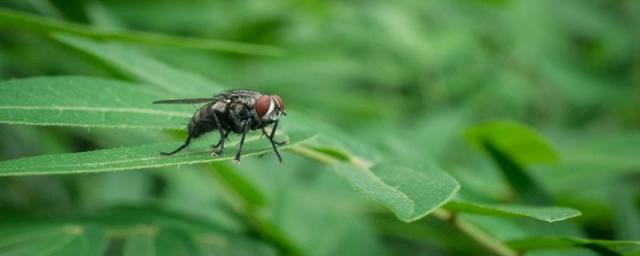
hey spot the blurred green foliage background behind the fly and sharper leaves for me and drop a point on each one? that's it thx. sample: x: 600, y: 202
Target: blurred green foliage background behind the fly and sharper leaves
x: 404, y: 77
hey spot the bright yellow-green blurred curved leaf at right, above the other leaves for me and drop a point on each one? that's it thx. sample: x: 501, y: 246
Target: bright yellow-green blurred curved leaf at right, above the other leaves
x: 520, y: 142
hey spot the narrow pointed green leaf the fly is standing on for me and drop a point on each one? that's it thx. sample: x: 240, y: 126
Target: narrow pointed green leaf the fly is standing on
x: 139, y: 157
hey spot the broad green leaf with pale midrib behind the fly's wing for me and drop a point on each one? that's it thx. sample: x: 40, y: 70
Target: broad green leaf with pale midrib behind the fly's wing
x: 87, y: 102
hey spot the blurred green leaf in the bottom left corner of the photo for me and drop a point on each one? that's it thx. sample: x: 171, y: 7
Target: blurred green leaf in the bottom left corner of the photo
x: 68, y: 239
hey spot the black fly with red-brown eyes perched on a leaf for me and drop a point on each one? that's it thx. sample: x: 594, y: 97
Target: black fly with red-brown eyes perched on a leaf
x: 237, y: 111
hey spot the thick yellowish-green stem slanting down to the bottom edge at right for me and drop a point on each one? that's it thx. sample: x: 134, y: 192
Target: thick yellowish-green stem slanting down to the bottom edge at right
x: 484, y: 239
